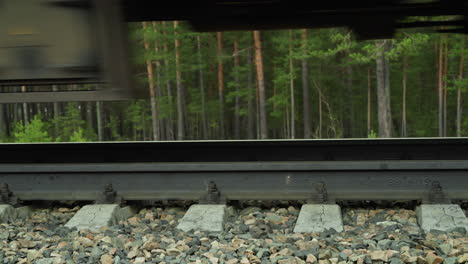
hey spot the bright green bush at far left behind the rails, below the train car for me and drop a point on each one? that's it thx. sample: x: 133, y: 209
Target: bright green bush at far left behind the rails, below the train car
x: 35, y: 131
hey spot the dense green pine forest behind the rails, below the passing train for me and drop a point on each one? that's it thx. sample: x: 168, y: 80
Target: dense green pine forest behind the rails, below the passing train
x: 275, y: 84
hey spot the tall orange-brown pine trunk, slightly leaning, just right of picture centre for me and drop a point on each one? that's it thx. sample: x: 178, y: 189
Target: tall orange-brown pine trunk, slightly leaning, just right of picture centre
x: 261, y: 85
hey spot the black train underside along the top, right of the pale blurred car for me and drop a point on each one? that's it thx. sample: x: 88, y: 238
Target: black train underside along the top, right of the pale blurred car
x: 368, y: 19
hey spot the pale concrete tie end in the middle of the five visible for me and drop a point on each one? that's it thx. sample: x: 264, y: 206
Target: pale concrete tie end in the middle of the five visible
x: 203, y: 218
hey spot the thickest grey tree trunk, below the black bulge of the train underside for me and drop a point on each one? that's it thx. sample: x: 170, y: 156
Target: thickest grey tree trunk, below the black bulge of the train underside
x: 383, y: 90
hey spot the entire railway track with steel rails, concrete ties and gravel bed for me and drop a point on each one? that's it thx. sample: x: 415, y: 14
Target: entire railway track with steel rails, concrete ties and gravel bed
x: 323, y: 171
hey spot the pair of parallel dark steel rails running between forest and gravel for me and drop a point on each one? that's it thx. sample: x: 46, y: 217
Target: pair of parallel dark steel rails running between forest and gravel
x: 320, y: 170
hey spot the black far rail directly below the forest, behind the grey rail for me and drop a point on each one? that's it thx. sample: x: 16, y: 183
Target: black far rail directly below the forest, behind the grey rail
x: 237, y: 151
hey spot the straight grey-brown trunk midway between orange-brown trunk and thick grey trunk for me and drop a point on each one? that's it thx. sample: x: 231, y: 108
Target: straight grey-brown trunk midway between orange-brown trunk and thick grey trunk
x: 305, y: 88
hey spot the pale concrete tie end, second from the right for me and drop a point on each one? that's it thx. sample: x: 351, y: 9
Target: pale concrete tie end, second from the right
x: 318, y: 218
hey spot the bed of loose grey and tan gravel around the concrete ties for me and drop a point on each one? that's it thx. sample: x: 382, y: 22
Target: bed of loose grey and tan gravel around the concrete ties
x: 253, y: 234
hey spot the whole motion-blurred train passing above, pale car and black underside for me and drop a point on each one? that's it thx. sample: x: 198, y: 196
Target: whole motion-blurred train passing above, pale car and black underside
x: 46, y: 42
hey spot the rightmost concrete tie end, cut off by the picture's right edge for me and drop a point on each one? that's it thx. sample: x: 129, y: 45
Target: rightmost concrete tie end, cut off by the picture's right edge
x: 441, y: 217
